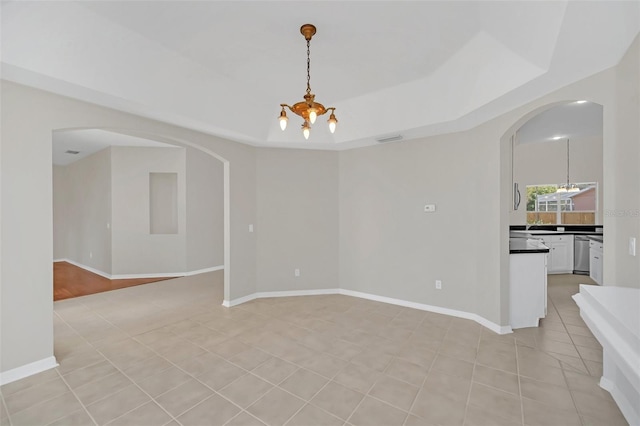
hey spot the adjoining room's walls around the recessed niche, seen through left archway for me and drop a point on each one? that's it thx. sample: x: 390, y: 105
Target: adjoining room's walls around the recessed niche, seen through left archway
x: 82, y: 209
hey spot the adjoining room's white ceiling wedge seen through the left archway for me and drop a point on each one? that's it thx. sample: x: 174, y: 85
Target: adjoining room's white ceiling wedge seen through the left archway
x: 86, y: 142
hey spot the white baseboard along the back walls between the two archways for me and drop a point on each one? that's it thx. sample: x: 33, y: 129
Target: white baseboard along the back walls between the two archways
x: 423, y: 307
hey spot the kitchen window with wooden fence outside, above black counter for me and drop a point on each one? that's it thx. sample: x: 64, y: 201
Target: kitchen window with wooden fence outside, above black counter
x: 547, y: 205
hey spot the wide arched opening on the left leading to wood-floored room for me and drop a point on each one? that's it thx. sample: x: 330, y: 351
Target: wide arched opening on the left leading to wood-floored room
x: 106, y: 229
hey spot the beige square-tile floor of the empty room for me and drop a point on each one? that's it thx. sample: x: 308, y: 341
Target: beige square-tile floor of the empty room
x: 168, y: 354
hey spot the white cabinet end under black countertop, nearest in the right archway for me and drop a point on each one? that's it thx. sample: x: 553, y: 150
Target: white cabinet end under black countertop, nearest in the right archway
x: 527, y: 289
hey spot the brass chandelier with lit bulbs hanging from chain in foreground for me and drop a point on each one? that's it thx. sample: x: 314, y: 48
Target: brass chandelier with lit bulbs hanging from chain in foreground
x: 308, y: 109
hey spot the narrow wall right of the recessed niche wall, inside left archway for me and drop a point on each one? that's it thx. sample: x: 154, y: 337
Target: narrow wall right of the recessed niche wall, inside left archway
x: 205, y: 211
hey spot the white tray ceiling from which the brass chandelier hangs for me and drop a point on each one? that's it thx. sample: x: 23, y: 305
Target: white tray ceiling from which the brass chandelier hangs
x: 414, y: 68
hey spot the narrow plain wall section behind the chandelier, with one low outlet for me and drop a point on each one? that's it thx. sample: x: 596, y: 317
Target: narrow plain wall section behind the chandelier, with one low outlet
x: 297, y: 219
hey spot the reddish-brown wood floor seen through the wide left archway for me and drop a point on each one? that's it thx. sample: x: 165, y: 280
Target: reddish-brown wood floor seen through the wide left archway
x: 71, y: 281
